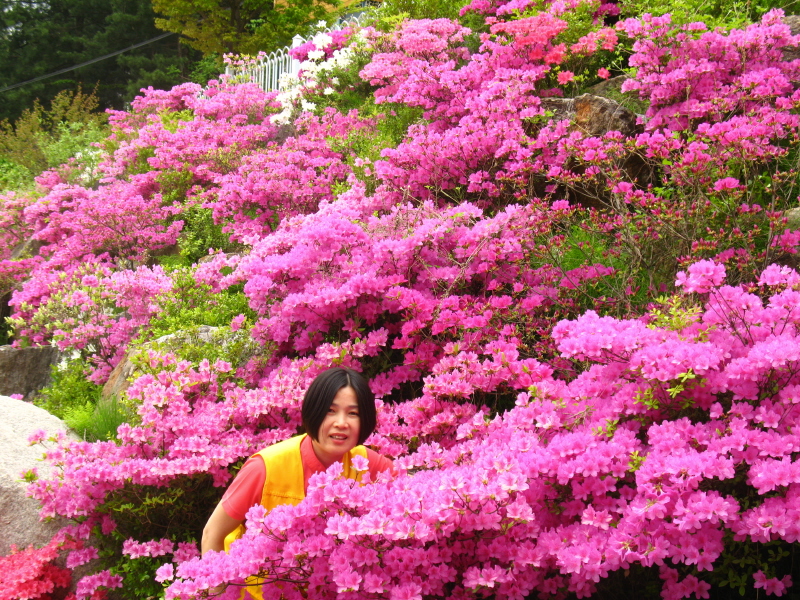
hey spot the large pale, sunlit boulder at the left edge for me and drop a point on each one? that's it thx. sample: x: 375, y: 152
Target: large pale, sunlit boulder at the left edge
x: 19, y: 515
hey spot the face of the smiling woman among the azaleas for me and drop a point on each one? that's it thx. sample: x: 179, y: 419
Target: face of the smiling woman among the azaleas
x: 340, y: 428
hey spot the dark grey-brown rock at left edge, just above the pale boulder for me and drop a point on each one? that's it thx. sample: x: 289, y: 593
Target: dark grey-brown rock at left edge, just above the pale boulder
x: 25, y: 370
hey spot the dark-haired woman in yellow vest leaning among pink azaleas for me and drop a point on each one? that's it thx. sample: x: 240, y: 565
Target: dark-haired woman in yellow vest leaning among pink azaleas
x: 338, y: 415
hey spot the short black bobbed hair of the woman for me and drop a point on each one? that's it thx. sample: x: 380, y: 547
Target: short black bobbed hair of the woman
x: 320, y: 394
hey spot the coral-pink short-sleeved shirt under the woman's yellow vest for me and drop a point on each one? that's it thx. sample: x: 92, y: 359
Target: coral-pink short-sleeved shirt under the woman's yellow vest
x: 247, y: 487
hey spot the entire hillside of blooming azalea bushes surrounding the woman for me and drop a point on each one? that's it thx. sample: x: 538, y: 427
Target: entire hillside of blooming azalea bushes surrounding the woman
x: 582, y: 337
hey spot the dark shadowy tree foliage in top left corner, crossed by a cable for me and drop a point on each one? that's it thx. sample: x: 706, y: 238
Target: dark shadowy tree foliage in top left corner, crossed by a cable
x: 42, y: 37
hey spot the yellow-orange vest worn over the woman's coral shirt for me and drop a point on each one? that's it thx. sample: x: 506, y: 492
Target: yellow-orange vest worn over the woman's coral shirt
x: 284, y: 484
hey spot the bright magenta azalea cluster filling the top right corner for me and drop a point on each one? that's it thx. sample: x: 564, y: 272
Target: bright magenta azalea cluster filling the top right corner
x: 690, y: 79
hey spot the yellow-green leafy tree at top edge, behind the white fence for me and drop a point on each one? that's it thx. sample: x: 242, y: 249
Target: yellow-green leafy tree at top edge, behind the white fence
x: 241, y: 26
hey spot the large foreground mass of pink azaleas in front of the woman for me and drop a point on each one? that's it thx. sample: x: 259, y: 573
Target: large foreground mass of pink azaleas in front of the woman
x: 577, y: 480
